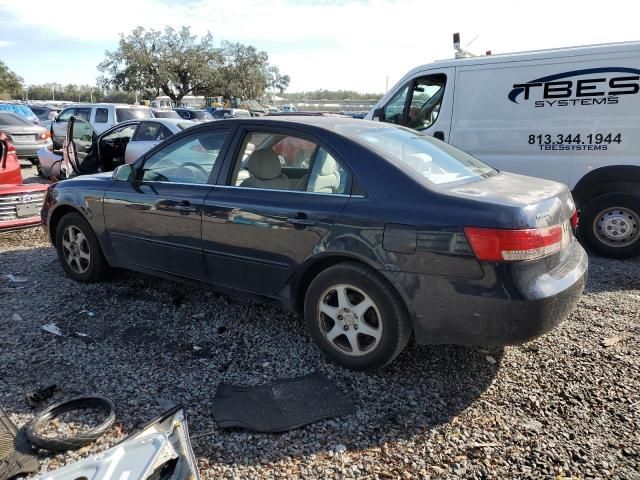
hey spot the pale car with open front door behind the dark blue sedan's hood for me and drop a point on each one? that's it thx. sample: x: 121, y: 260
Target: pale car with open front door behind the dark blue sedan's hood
x: 85, y: 151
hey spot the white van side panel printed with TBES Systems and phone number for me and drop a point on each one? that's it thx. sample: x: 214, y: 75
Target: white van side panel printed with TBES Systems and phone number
x: 556, y: 118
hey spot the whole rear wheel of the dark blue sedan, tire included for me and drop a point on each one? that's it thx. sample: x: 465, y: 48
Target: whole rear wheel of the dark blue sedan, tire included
x: 355, y: 317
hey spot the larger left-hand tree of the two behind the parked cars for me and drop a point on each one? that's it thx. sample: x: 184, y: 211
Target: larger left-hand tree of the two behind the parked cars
x: 150, y: 61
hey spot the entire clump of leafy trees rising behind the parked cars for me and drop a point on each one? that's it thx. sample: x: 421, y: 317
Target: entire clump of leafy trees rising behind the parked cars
x: 177, y: 63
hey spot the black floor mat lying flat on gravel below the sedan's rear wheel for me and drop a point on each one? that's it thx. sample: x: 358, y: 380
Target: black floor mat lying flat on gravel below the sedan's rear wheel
x: 281, y: 405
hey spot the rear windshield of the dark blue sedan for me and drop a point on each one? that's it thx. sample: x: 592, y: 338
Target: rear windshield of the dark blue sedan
x: 436, y: 161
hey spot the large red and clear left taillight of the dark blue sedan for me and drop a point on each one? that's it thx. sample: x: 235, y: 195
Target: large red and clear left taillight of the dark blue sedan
x: 496, y: 245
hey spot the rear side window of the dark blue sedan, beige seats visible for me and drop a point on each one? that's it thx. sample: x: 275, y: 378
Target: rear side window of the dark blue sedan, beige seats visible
x: 276, y: 161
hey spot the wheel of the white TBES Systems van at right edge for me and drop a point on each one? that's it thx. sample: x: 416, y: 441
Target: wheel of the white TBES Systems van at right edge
x: 610, y: 225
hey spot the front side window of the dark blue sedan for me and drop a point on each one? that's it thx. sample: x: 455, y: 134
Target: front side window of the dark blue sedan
x: 188, y: 160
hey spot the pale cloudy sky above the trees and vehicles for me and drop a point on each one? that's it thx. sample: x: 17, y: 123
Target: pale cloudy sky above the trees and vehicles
x: 361, y: 45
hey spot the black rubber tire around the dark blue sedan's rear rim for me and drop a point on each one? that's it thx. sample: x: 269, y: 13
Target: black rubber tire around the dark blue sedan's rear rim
x: 394, y: 324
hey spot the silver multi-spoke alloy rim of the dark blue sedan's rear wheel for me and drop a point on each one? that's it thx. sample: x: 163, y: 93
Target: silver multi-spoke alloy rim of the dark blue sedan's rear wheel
x: 350, y: 320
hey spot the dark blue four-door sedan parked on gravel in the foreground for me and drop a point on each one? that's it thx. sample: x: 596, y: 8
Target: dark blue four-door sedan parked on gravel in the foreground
x: 372, y: 232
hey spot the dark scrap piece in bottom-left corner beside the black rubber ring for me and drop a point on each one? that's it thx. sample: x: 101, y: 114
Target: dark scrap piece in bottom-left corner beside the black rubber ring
x: 15, y: 455
